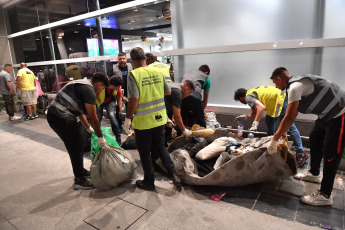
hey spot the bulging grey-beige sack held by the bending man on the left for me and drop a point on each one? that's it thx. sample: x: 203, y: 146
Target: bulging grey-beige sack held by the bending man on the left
x: 111, y: 167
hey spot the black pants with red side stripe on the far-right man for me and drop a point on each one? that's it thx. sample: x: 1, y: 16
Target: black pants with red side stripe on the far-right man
x: 327, y: 141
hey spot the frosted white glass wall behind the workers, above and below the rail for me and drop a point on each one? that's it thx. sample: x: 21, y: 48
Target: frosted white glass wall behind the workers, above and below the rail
x: 236, y: 22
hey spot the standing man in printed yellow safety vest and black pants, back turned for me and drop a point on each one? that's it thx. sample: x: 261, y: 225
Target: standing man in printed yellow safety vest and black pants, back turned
x: 146, y: 88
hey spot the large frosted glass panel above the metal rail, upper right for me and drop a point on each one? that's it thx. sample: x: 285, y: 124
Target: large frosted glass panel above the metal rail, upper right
x: 241, y: 22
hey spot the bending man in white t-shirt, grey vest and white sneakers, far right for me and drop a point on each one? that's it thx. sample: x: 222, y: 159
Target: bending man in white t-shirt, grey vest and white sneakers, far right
x: 315, y: 95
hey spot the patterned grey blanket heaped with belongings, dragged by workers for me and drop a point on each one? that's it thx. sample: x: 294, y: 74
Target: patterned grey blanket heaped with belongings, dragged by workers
x: 234, y: 168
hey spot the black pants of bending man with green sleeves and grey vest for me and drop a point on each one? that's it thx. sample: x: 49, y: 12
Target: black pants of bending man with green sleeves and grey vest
x: 192, y: 112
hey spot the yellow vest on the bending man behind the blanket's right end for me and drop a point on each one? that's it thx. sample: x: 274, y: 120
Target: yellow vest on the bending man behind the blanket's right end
x: 271, y: 97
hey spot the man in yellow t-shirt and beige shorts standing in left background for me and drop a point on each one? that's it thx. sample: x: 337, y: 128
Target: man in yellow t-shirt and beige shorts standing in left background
x: 26, y: 83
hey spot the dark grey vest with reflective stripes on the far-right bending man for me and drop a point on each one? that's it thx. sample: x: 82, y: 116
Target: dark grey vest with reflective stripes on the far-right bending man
x: 327, y: 100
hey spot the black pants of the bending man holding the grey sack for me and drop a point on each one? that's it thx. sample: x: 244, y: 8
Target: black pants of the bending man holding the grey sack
x: 70, y: 134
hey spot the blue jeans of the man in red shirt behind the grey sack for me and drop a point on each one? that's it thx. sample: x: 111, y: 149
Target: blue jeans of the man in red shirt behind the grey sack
x: 110, y: 108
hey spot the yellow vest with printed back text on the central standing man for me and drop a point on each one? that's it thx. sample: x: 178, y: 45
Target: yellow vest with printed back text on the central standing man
x: 150, y: 112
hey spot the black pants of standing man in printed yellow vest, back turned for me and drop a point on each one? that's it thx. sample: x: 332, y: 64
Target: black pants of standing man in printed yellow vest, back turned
x: 152, y: 141
